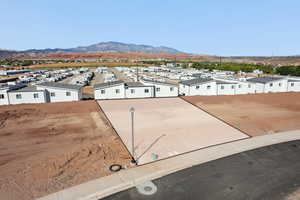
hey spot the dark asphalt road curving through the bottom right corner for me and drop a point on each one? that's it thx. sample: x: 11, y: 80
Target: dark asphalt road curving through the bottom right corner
x: 268, y: 173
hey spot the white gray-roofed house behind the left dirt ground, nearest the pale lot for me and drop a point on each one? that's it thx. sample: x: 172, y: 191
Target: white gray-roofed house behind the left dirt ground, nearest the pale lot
x: 59, y: 92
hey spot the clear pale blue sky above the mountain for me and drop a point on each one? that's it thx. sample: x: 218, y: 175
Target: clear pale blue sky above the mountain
x: 223, y: 27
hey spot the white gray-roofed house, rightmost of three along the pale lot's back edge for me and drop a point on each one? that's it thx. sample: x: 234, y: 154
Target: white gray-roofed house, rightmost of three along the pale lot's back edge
x: 162, y: 89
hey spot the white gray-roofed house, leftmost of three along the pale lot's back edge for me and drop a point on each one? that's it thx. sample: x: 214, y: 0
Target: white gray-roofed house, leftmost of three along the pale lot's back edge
x: 110, y: 90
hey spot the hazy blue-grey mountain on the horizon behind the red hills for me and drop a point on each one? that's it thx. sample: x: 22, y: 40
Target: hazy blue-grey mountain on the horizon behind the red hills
x: 110, y: 47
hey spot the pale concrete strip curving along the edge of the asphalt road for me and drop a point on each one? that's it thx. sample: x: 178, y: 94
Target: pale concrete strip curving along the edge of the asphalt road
x: 105, y: 186
